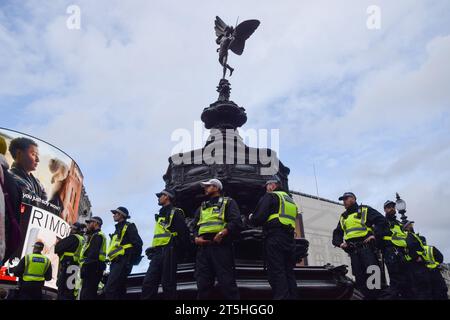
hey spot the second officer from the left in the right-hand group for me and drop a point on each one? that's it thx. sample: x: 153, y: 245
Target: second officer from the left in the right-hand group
x: 395, y: 256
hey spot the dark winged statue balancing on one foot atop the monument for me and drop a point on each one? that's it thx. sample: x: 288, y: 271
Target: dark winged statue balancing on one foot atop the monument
x: 229, y: 38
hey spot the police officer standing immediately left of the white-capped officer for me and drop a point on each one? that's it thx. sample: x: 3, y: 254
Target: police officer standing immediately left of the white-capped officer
x: 170, y: 237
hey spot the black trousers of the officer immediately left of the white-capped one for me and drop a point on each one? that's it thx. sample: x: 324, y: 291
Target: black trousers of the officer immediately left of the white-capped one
x: 162, y: 270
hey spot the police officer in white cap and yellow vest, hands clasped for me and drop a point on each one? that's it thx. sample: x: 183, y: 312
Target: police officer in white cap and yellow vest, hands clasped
x: 216, y: 222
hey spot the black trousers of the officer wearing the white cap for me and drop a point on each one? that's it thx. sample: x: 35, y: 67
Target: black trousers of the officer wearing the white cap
x: 216, y: 261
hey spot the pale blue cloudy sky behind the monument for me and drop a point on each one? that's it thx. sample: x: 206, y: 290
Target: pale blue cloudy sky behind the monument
x: 370, y: 108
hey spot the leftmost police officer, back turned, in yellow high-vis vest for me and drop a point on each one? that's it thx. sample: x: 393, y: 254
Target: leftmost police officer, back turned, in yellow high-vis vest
x: 33, y: 270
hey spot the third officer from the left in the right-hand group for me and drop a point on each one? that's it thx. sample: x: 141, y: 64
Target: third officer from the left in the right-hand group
x: 419, y: 276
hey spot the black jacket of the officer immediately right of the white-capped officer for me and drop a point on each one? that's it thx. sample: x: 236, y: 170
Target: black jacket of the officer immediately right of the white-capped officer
x: 267, y: 205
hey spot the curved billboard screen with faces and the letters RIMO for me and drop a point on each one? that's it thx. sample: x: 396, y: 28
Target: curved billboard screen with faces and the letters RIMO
x: 51, y: 186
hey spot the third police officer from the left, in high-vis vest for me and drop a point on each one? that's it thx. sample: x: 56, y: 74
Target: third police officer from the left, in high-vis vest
x: 92, y: 259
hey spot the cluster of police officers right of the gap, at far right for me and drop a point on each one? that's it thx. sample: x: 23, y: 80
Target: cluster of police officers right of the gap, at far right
x: 413, y: 265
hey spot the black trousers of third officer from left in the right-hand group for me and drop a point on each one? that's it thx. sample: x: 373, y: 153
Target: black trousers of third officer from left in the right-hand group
x: 419, y: 277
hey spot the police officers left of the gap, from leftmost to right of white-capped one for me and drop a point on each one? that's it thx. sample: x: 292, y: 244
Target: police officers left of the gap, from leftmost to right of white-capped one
x: 217, y: 222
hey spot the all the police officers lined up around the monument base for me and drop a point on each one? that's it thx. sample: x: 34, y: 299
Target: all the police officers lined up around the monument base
x: 362, y: 232
